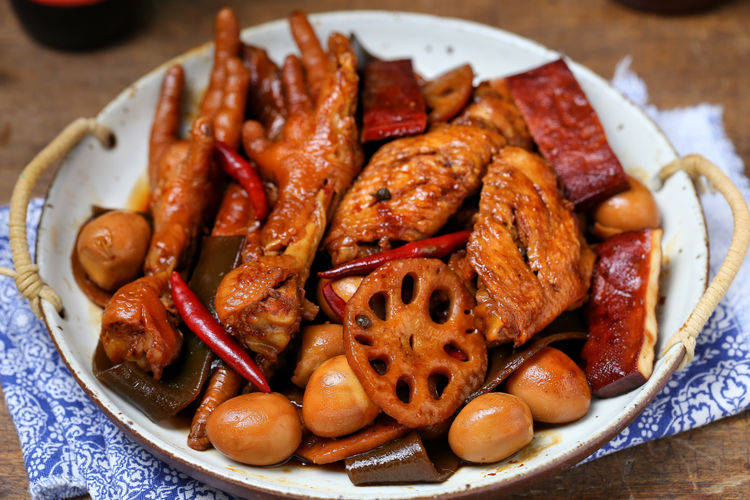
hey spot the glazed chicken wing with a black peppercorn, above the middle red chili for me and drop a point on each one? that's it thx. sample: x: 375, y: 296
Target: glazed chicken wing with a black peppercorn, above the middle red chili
x: 409, y: 189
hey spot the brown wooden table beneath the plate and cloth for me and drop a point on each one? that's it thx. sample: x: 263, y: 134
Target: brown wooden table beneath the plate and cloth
x: 684, y: 60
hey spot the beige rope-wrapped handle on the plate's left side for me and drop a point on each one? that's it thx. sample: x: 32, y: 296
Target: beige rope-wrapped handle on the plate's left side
x: 26, y: 273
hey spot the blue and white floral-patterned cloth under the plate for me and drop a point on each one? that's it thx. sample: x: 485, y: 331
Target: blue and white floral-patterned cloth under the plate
x: 71, y: 448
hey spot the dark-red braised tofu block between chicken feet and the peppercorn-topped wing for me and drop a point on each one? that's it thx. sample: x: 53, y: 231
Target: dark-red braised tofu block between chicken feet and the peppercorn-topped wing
x: 392, y: 102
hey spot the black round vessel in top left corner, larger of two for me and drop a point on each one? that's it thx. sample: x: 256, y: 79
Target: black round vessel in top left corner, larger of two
x: 77, y: 24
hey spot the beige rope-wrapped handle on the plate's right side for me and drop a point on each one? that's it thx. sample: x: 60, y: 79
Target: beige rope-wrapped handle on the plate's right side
x: 698, y: 166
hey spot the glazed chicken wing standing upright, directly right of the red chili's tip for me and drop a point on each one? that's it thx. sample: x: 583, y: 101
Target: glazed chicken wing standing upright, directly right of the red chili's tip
x: 527, y: 249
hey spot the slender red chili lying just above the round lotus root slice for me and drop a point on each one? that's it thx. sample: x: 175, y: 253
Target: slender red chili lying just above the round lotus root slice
x: 431, y: 247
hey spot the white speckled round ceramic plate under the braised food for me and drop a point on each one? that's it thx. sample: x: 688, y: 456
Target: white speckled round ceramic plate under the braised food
x: 93, y: 176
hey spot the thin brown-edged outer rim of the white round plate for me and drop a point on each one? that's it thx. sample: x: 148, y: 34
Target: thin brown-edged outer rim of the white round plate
x: 556, y: 464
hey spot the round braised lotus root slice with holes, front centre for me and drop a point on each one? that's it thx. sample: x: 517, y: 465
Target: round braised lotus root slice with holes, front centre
x: 410, y: 337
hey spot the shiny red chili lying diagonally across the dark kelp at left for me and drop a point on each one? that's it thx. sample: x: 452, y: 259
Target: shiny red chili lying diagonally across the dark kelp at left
x: 207, y: 328
